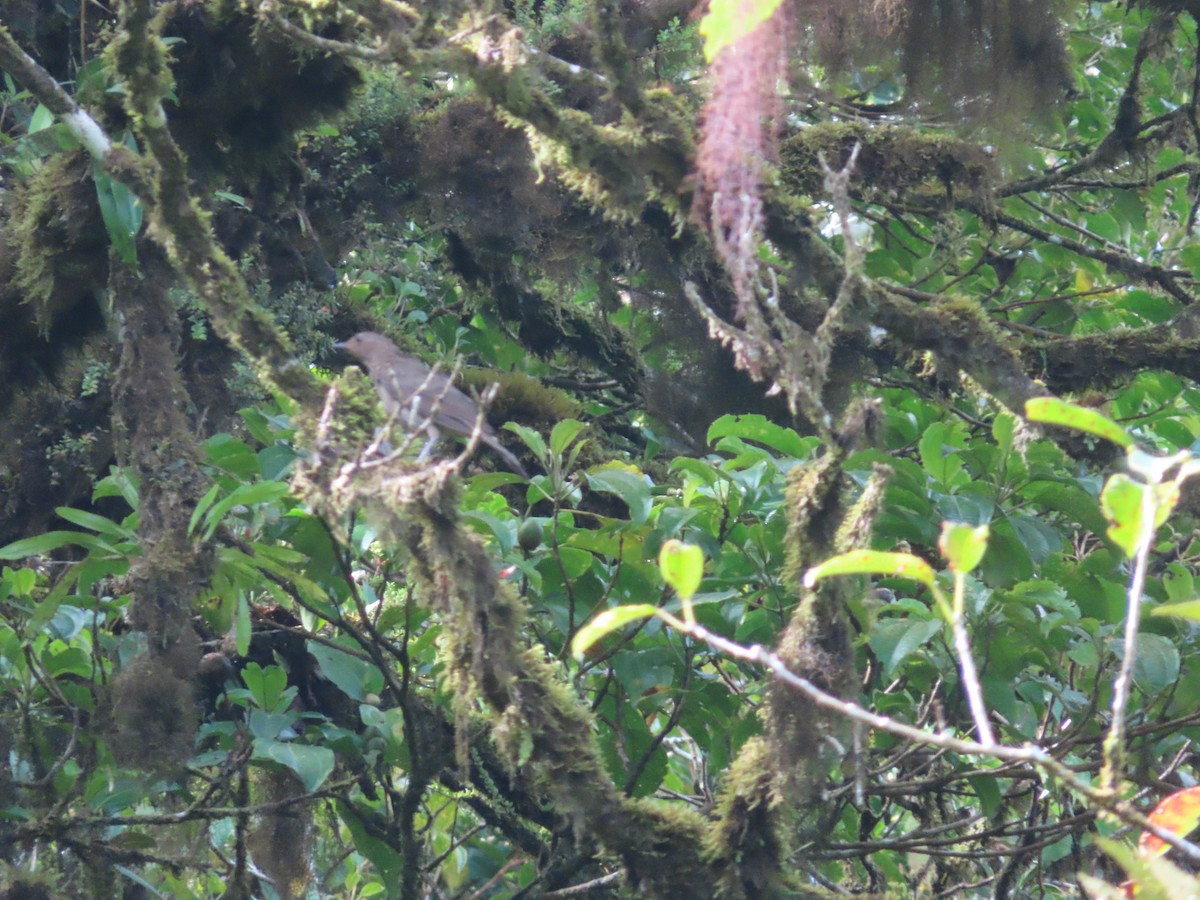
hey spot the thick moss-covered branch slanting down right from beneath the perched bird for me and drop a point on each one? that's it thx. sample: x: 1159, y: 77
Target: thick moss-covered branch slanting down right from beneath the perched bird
x: 547, y: 735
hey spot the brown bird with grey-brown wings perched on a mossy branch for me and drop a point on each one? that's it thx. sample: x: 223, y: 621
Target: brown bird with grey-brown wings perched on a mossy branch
x: 419, y: 399
